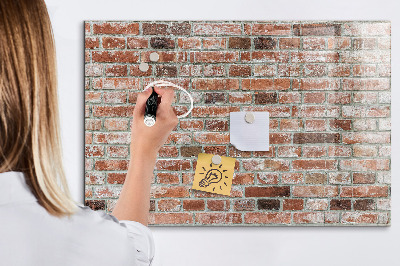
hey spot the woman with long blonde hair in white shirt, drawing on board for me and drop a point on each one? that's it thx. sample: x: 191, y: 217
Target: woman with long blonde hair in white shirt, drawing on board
x: 39, y: 222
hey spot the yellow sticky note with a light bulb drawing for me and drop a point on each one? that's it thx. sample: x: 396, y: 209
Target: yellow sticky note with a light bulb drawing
x: 214, y: 178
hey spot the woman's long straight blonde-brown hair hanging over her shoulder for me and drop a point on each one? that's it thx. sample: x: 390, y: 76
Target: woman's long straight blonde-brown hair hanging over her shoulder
x: 29, y: 118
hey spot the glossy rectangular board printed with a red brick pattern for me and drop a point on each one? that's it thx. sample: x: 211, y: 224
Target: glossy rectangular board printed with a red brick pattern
x: 326, y: 86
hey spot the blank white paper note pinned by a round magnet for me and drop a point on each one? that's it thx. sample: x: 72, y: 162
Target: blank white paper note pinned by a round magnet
x: 249, y: 136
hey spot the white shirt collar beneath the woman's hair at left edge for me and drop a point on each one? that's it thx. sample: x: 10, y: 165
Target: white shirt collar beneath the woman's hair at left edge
x: 13, y: 188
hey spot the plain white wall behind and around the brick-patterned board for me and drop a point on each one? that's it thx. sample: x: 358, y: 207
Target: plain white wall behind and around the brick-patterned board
x: 230, y: 246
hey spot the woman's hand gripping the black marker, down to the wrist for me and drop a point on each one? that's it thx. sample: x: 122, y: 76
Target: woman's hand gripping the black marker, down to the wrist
x: 146, y: 139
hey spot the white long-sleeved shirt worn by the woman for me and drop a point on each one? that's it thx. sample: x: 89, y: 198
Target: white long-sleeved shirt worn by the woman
x: 29, y: 235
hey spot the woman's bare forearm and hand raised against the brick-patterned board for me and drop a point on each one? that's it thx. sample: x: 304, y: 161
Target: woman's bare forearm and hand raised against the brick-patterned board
x: 134, y: 201
